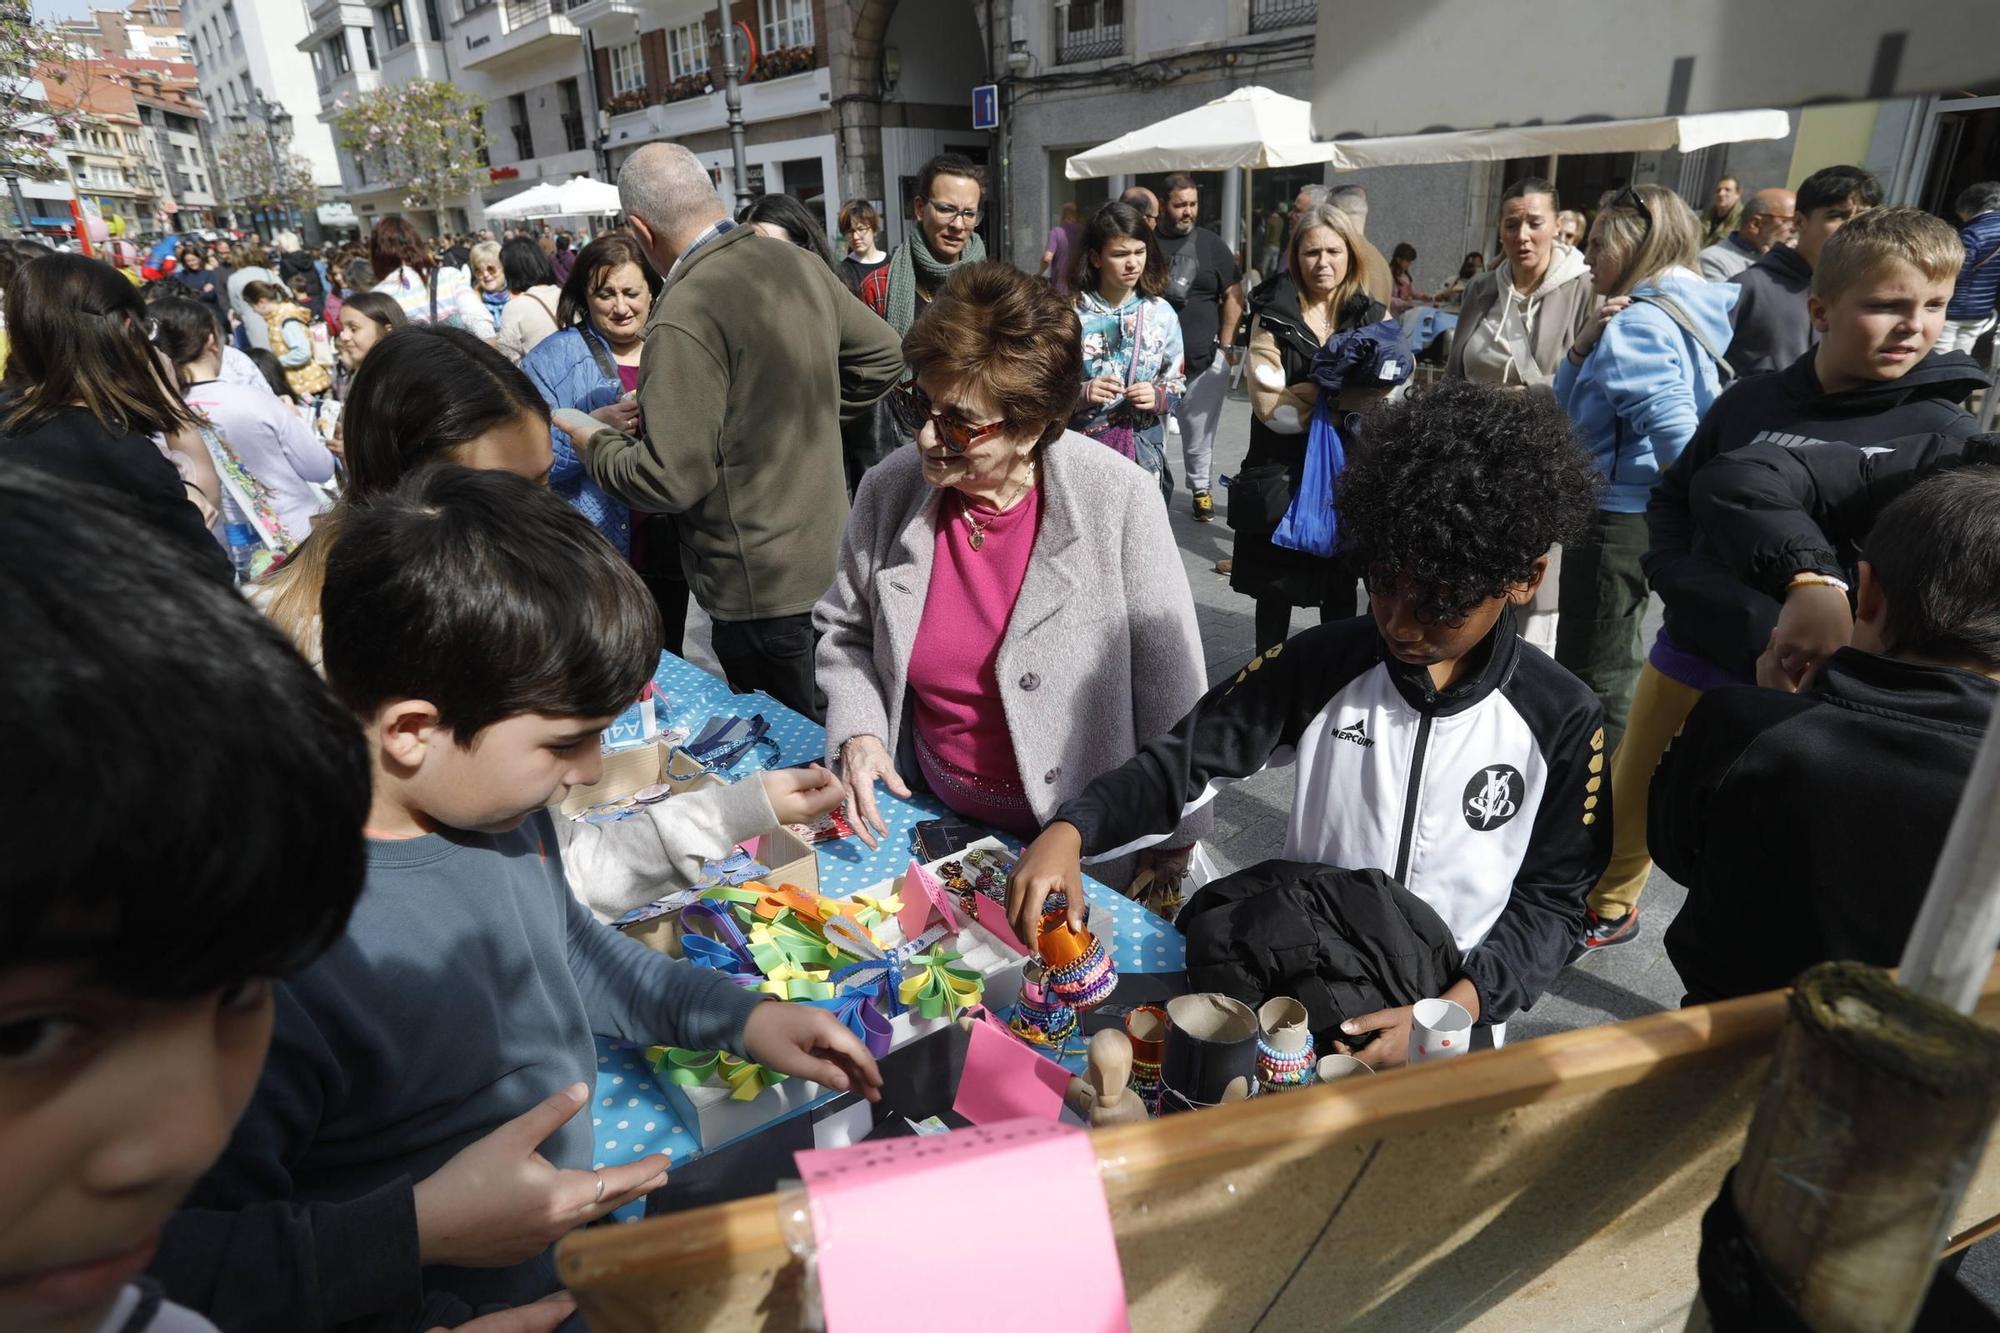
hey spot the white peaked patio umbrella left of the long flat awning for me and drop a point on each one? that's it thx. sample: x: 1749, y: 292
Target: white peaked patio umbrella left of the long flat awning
x: 1251, y: 127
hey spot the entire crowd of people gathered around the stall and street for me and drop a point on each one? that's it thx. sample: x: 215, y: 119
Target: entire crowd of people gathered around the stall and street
x: 325, y: 575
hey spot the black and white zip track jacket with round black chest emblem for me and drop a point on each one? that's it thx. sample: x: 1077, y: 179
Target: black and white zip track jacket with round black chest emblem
x: 1489, y: 800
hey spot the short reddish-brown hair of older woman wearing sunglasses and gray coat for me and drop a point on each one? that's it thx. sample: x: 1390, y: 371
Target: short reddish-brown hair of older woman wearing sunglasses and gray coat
x: 1011, y: 339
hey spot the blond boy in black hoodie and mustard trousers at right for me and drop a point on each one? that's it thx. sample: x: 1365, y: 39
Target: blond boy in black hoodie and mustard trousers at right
x: 1877, y: 303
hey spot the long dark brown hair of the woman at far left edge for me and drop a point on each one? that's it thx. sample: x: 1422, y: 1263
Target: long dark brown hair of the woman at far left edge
x: 81, y: 335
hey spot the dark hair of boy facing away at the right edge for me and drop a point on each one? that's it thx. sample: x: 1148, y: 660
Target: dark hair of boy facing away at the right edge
x: 1937, y: 555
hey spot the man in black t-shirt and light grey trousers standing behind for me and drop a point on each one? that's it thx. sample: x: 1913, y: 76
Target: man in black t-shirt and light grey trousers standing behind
x: 1207, y: 289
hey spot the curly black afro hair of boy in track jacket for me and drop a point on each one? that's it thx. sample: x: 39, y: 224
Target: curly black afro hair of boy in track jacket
x: 1463, y: 487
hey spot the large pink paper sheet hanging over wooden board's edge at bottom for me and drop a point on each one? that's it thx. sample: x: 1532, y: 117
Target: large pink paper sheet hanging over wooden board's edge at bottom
x: 1015, y: 1178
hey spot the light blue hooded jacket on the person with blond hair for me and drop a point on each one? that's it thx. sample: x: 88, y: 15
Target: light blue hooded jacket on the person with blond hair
x: 1645, y: 387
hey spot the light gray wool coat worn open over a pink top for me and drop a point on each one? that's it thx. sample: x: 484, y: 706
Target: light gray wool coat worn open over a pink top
x: 1101, y: 653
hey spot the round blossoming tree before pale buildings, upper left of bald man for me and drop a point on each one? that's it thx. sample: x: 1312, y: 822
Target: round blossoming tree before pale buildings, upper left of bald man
x: 423, y: 135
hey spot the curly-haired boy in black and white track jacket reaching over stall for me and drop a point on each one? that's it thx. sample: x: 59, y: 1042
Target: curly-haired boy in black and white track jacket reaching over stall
x: 1431, y: 742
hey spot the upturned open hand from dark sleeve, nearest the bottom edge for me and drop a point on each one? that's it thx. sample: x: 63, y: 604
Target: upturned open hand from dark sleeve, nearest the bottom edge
x: 499, y: 1202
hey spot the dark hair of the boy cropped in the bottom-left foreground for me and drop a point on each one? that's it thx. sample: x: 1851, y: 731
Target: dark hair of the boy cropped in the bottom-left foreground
x: 191, y: 794
